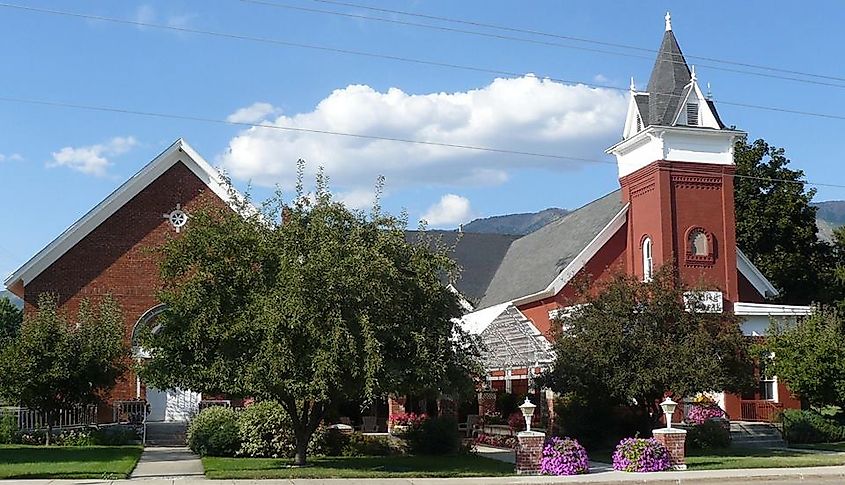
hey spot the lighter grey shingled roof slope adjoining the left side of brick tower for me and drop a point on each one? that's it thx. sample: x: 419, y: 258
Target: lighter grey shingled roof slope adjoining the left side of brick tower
x: 534, y: 261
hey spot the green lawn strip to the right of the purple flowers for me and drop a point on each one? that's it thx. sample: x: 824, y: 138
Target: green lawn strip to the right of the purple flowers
x: 747, y: 458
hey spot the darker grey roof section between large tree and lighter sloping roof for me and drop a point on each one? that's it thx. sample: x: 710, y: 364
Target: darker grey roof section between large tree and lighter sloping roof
x: 479, y: 255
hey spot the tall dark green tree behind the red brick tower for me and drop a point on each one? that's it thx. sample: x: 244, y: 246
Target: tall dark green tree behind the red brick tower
x: 776, y: 225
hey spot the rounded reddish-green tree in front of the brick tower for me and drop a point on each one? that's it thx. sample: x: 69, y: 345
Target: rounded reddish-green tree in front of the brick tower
x: 630, y: 342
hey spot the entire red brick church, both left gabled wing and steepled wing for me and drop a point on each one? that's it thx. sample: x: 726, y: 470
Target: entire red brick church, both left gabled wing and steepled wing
x: 675, y: 205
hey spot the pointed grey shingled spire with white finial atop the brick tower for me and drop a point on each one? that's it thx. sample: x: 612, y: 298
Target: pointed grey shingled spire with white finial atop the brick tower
x: 668, y: 78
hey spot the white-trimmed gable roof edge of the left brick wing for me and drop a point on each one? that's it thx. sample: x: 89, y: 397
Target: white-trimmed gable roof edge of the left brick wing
x: 179, y: 151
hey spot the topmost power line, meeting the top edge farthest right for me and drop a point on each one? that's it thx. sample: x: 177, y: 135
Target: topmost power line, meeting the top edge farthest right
x: 570, y: 38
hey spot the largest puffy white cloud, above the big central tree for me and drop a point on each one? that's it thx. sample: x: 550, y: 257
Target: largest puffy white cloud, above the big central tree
x: 522, y: 114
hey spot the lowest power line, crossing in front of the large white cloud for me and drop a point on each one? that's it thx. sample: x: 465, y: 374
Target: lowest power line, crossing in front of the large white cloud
x: 477, y: 148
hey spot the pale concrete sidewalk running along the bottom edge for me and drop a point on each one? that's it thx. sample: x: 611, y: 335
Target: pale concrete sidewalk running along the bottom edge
x: 810, y: 475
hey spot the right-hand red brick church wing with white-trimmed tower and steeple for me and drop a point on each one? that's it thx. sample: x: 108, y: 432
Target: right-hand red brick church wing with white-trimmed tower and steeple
x: 675, y: 205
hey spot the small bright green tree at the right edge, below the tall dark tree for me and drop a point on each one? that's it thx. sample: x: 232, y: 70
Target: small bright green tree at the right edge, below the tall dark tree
x: 810, y: 356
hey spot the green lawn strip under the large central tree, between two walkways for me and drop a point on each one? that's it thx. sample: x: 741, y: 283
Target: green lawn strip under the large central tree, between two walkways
x: 358, y: 467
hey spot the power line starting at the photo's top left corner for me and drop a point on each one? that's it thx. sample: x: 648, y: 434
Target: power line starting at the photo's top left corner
x: 381, y: 56
